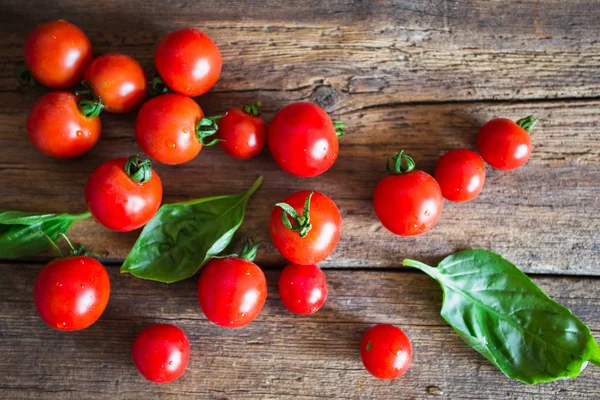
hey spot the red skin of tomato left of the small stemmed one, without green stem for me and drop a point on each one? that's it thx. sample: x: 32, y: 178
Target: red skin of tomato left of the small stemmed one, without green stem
x: 166, y: 128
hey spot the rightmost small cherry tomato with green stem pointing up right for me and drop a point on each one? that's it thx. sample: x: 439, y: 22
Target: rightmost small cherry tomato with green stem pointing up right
x: 505, y: 144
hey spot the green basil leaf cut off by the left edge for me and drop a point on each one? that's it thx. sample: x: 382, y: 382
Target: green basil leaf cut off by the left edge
x: 22, y: 234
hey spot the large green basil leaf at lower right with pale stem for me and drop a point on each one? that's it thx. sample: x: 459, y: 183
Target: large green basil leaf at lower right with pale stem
x: 502, y: 314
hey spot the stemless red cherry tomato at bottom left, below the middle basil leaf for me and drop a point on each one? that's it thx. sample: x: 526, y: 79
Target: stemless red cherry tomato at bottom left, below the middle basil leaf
x: 161, y: 353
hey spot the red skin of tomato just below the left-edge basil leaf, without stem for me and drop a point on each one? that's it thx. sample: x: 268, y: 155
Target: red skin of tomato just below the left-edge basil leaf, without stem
x: 71, y: 293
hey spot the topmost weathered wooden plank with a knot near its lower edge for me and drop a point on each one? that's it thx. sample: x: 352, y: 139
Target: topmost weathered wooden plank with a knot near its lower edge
x: 383, y: 50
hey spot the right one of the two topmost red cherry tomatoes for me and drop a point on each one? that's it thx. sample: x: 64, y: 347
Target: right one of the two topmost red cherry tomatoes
x: 188, y: 61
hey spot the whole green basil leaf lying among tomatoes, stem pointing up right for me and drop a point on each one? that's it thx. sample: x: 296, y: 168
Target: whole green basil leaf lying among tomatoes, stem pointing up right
x: 182, y: 237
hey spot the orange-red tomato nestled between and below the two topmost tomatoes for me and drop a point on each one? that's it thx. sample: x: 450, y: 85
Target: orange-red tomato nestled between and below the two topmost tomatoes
x: 119, y: 80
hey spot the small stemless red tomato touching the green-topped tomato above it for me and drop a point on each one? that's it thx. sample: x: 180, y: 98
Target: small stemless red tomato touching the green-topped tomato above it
x: 302, y: 288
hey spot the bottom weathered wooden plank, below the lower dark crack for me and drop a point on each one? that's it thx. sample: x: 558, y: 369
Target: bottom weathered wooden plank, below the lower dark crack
x: 279, y: 355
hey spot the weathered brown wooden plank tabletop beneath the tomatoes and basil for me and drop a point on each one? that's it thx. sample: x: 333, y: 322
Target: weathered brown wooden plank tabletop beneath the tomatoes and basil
x: 416, y: 75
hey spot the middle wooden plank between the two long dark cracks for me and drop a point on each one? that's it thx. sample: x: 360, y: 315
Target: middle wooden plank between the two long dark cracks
x: 542, y: 217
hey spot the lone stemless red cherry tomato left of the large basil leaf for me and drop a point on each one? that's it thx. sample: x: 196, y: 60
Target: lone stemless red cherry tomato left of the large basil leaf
x: 386, y: 351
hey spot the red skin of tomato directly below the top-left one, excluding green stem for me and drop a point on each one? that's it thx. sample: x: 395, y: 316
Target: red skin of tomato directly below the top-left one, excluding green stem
x: 57, y: 128
